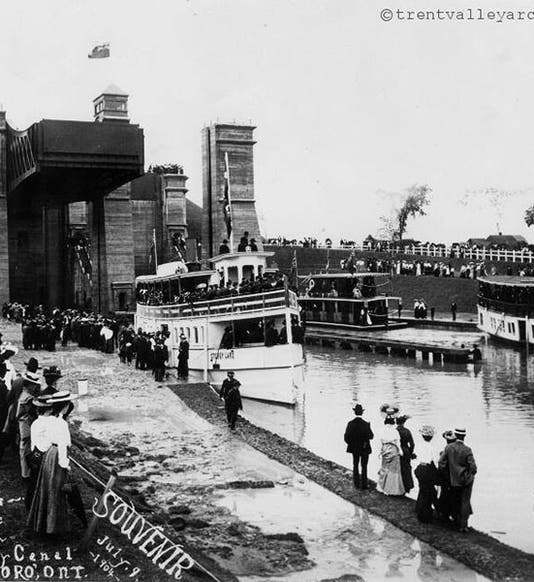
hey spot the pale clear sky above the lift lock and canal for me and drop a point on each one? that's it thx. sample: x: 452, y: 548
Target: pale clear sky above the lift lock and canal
x: 350, y: 109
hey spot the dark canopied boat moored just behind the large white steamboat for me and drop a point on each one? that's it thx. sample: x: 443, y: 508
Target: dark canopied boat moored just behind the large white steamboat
x: 354, y: 300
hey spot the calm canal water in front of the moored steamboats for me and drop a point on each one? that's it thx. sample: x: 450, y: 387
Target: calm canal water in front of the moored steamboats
x: 493, y: 400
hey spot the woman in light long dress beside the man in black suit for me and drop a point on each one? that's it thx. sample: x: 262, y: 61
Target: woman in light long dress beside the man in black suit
x: 389, y: 475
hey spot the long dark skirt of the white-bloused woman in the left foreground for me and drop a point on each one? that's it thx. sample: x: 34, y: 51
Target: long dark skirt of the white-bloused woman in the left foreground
x: 48, y: 512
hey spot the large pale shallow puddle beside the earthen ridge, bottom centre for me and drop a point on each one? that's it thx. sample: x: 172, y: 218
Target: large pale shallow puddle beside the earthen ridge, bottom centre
x: 341, y: 538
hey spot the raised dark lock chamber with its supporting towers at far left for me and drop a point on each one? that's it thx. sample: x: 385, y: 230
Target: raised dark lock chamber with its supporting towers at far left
x: 44, y: 171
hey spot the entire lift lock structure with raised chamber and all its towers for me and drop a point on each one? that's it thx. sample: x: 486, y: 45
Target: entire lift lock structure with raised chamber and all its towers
x: 80, y: 218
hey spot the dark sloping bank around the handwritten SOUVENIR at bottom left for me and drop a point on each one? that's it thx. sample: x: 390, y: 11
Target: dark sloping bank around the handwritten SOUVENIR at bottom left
x: 27, y: 556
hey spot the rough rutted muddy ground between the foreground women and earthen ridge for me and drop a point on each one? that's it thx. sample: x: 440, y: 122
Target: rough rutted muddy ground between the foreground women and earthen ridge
x: 174, y: 466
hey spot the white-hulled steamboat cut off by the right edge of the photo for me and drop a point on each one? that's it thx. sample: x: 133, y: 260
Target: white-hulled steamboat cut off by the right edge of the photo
x: 505, y: 306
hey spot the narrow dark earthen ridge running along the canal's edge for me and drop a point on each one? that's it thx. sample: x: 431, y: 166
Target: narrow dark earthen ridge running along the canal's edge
x: 477, y: 550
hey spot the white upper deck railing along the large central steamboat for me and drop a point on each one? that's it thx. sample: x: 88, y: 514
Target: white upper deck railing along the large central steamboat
x: 260, y: 302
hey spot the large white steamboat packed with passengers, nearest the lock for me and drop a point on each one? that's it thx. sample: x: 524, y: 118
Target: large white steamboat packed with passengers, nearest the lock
x: 252, y: 328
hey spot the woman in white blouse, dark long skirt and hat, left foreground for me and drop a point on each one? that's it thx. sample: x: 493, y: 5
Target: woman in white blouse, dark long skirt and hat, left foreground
x: 48, y: 512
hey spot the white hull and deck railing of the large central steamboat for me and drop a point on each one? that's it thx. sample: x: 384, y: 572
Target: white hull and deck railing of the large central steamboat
x: 273, y: 373
